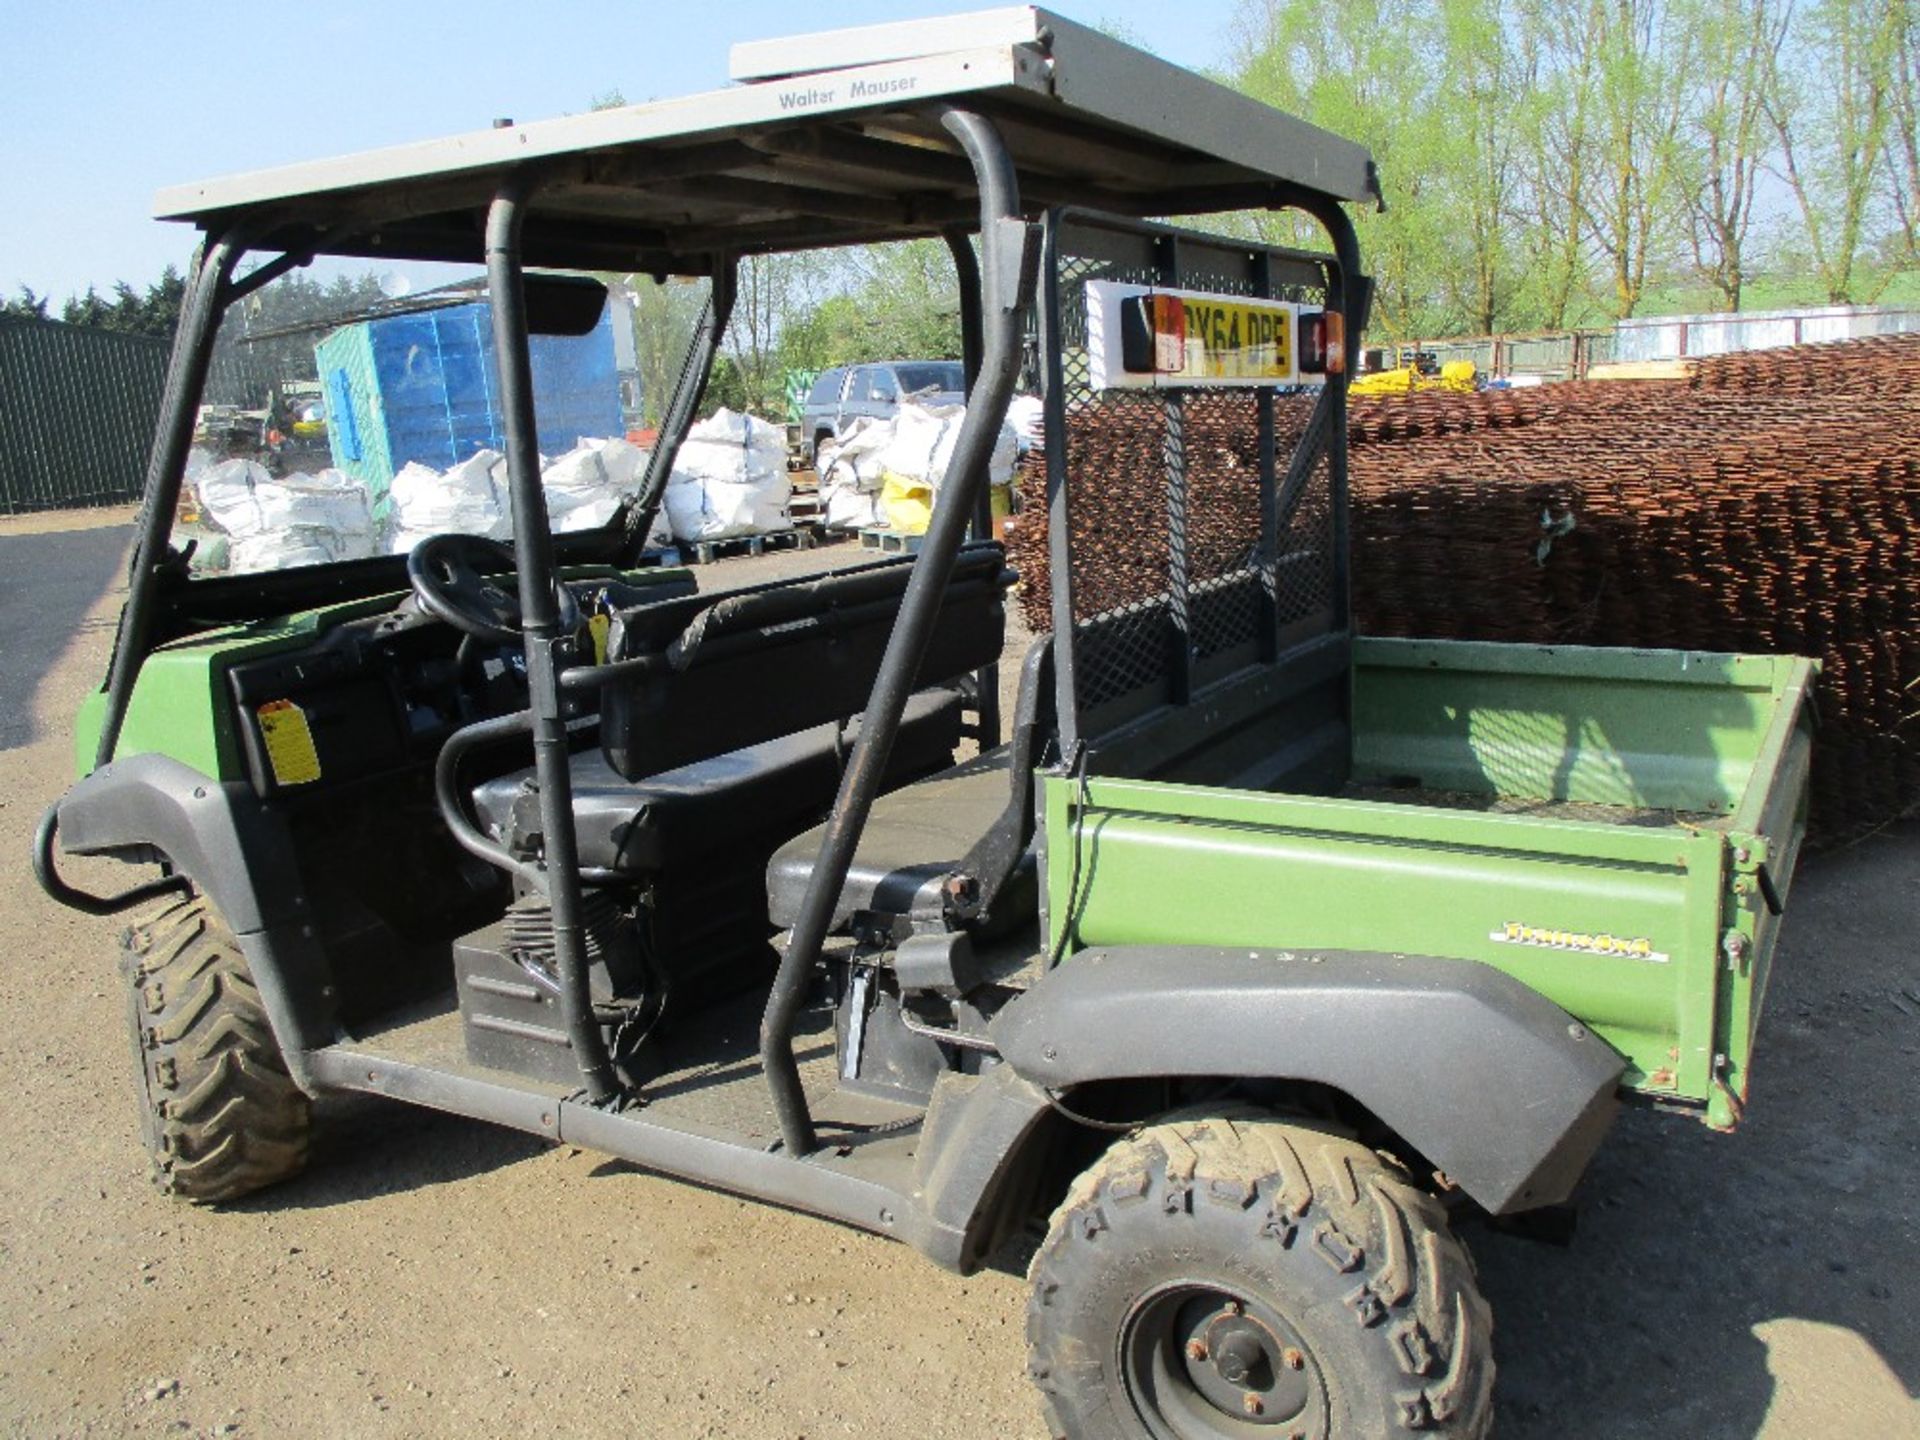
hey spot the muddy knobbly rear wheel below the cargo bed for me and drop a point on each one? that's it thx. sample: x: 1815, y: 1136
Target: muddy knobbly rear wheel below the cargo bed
x: 1245, y: 1280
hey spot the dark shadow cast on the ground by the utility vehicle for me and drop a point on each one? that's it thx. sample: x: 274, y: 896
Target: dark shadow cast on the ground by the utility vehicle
x: 1706, y: 1266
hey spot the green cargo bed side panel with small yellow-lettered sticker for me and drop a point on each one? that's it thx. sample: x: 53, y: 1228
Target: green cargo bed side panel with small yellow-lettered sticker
x: 1170, y: 865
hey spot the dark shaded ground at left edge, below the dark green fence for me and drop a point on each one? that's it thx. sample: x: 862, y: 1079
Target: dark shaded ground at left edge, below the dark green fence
x: 49, y: 585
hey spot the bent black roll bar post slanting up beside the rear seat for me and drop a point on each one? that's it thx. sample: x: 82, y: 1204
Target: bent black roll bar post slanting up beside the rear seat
x: 1011, y: 254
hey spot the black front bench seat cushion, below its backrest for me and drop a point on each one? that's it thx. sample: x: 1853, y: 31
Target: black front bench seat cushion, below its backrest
x: 644, y: 827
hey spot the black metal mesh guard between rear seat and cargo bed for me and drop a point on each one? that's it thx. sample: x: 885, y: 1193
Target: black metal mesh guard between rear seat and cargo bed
x: 1184, y: 540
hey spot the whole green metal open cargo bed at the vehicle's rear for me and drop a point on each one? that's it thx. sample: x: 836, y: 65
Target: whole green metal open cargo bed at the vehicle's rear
x: 1616, y: 828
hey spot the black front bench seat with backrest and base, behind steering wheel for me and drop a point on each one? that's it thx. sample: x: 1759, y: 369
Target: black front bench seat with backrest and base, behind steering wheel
x: 723, y: 736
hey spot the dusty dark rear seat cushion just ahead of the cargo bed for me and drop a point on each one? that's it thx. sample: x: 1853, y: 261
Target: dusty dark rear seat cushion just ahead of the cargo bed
x: 915, y: 838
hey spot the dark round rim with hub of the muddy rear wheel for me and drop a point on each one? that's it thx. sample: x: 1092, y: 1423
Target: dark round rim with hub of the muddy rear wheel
x: 1203, y: 1362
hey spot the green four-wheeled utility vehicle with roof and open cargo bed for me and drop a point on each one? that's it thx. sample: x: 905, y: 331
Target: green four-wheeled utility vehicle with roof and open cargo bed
x: 1232, y: 967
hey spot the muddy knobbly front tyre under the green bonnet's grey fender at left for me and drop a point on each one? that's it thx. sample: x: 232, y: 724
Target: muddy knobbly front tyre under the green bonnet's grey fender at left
x: 218, y: 1111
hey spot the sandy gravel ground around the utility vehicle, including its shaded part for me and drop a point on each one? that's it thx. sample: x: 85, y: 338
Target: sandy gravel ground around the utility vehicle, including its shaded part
x: 439, y: 1278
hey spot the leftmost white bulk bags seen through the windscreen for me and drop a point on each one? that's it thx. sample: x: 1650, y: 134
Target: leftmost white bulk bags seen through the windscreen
x: 279, y: 523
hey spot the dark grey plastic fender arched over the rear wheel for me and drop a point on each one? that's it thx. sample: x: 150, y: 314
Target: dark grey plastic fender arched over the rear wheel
x: 1495, y: 1084
